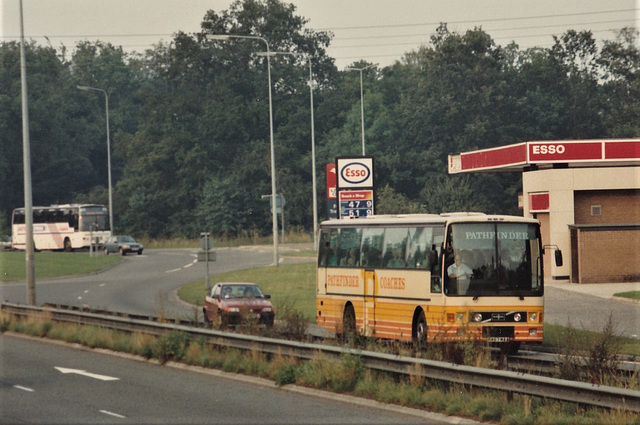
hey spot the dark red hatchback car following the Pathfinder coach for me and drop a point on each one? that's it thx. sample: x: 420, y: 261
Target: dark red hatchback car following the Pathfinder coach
x: 232, y: 303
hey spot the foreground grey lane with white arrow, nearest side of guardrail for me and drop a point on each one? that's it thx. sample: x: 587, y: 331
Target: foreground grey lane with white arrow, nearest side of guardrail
x: 32, y: 390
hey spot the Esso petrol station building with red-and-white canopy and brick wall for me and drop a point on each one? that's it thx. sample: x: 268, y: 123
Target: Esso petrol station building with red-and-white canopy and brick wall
x: 586, y: 194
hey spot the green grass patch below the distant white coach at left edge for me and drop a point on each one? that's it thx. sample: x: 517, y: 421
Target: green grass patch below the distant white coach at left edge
x: 53, y: 264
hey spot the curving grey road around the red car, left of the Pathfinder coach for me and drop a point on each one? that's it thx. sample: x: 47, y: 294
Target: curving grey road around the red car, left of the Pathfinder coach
x: 141, y: 284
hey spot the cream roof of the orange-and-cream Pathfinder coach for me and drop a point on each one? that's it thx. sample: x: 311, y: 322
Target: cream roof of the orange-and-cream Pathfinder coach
x: 408, y: 219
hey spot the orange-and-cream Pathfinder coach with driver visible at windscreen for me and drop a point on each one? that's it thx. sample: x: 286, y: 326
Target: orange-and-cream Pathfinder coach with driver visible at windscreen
x: 431, y: 278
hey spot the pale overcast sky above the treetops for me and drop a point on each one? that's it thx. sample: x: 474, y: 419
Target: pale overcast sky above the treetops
x: 377, y: 31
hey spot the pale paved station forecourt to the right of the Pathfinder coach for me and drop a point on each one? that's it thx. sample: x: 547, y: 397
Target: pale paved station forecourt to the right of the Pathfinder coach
x: 592, y: 306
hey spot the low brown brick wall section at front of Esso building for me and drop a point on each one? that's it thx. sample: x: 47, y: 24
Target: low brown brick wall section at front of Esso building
x: 609, y: 254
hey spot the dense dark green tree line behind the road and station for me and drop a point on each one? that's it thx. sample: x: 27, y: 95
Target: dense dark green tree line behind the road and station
x: 190, y: 126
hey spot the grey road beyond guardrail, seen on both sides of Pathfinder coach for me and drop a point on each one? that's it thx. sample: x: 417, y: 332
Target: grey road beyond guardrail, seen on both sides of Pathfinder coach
x: 146, y: 285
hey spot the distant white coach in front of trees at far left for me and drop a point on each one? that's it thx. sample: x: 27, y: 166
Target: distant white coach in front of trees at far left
x: 62, y: 227
